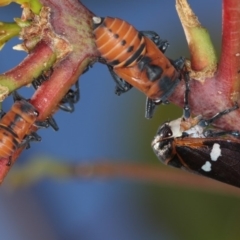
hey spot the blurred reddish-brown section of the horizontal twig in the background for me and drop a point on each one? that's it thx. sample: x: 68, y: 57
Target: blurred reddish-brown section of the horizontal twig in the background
x: 153, y: 174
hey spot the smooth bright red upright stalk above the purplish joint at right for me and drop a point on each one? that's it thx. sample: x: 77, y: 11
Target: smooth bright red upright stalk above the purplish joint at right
x: 229, y: 65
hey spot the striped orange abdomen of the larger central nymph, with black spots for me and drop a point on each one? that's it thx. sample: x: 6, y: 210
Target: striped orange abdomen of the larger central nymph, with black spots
x: 118, y: 42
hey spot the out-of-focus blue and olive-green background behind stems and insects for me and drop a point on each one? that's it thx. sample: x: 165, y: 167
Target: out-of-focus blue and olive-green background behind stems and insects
x: 113, y: 128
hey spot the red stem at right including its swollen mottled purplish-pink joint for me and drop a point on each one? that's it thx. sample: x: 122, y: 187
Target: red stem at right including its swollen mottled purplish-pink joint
x: 222, y: 90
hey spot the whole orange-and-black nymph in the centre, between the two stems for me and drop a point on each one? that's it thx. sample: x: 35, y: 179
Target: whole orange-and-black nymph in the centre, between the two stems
x: 136, y: 58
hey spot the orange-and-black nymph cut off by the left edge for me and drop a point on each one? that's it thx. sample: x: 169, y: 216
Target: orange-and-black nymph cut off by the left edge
x: 15, y: 128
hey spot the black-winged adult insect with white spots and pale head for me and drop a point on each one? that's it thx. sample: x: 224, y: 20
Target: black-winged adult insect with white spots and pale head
x: 189, y: 144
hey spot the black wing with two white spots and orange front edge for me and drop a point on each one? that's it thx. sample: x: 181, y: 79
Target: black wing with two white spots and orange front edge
x: 212, y: 157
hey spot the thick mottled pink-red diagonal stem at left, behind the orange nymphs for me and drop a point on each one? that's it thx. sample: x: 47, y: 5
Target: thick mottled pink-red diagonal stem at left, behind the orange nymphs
x: 73, y: 22
